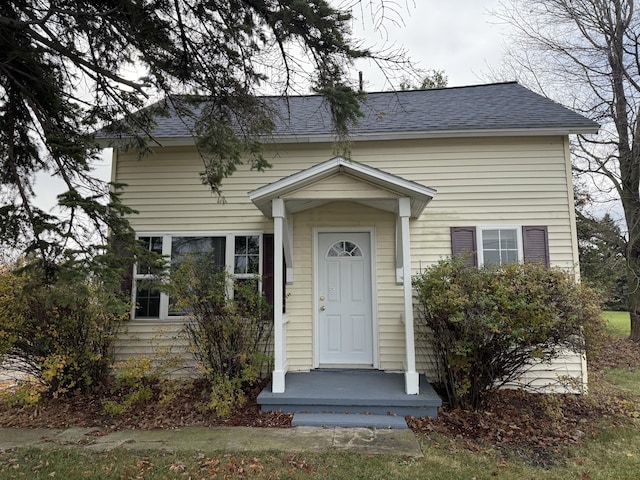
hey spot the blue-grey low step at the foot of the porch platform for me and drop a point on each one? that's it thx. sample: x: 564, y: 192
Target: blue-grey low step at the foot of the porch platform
x: 348, y: 420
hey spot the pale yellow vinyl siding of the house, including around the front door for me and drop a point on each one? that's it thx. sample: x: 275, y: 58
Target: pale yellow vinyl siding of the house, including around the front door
x: 479, y: 181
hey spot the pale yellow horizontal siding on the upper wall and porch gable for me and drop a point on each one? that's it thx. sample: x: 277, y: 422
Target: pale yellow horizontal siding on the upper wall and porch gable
x: 516, y: 180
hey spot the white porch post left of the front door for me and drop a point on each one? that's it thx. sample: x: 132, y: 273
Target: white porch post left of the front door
x: 279, y: 346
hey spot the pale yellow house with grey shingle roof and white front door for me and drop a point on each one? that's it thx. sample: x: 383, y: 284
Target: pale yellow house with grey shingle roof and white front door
x: 431, y: 172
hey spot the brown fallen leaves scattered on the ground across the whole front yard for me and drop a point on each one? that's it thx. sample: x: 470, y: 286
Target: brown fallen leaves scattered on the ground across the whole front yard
x: 536, y: 425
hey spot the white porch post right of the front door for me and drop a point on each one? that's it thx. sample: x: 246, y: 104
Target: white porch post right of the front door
x: 411, y: 378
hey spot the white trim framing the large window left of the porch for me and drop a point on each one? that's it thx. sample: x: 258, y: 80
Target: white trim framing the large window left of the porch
x: 166, y: 252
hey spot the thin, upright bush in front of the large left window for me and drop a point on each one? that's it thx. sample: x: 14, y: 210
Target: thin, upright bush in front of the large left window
x: 230, y: 337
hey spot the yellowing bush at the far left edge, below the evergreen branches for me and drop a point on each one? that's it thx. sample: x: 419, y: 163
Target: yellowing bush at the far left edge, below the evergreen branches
x: 59, y: 321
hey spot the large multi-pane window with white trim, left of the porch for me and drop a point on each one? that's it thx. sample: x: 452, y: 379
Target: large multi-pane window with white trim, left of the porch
x: 243, y: 261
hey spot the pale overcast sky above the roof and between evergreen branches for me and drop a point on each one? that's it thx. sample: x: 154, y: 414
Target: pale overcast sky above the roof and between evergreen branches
x: 457, y: 36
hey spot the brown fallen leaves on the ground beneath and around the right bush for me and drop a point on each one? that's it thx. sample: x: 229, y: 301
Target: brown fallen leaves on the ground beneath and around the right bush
x: 536, y: 423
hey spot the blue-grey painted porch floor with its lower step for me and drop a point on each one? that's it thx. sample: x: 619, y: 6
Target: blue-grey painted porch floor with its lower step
x: 370, y: 398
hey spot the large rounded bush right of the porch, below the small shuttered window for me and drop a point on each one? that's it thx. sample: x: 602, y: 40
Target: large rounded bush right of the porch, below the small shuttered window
x: 486, y: 324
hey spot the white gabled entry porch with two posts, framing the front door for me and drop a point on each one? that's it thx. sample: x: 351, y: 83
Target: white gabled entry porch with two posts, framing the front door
x: 333, y: 317
